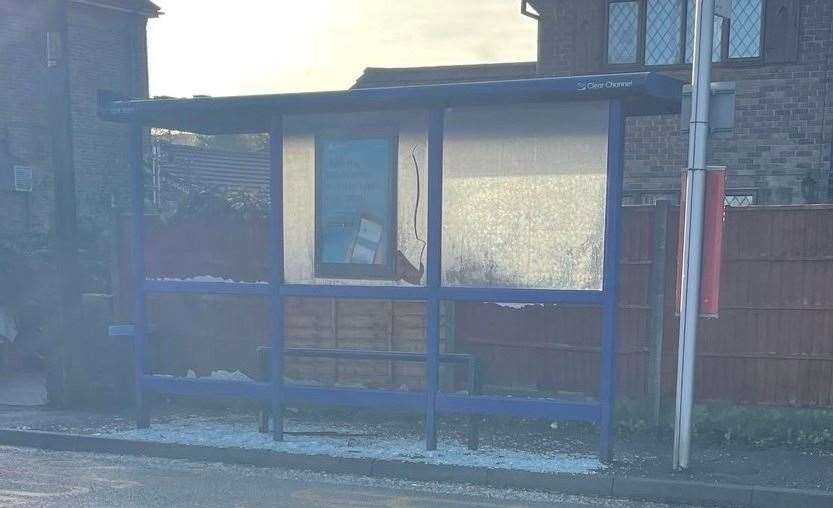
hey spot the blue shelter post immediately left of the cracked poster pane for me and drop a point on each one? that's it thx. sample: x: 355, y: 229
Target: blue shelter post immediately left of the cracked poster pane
x: 277, y: 275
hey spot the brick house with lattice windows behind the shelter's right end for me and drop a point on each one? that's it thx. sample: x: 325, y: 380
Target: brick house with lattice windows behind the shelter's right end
x: 776, y: 54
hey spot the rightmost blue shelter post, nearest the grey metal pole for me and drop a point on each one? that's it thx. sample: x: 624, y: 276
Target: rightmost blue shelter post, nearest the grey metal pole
x: 607, y: 382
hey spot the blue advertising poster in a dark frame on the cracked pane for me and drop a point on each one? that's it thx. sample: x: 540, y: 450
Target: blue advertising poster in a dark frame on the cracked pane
x: 355, y: 194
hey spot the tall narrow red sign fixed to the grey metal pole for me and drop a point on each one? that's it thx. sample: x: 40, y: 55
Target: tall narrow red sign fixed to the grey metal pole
x: 712, y: 257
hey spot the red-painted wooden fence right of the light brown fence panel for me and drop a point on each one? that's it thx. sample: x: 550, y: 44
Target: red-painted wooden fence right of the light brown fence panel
x: 772, y: 344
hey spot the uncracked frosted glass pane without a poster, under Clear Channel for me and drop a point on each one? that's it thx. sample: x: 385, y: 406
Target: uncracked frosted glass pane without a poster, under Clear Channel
x: 524, y: 196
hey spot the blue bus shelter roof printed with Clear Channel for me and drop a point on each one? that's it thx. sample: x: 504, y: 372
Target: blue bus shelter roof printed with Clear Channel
x: 642, y: 93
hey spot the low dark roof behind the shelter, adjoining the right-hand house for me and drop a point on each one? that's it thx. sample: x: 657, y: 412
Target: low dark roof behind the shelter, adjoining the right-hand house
x: 375, y: 77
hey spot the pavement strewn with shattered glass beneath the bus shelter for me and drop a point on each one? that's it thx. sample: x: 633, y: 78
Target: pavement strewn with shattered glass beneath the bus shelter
x: 637, y: 474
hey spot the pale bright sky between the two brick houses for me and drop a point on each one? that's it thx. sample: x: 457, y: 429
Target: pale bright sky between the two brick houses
x: 237, y: 47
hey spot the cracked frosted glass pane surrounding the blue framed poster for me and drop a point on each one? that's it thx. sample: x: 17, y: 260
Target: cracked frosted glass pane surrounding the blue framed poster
x: 299, y: 187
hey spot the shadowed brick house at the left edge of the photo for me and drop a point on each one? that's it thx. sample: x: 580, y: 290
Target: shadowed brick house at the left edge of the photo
x: 107, y: 50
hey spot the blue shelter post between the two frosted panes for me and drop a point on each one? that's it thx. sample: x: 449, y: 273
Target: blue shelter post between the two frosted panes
x: 436, y: 127
